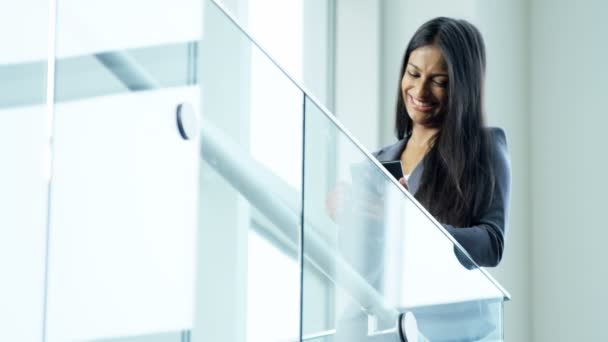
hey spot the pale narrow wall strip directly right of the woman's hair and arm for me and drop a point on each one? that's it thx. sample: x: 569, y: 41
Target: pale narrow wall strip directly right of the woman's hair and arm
x: 504, y: 27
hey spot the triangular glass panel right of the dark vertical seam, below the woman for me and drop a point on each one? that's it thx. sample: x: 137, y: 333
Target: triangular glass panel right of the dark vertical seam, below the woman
x: 381, y: 252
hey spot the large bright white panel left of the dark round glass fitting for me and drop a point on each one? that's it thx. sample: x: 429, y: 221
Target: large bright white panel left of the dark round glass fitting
x: 123, y: 217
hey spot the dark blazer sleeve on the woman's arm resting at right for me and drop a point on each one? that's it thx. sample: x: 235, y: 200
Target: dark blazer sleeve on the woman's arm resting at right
x: 485, y: 240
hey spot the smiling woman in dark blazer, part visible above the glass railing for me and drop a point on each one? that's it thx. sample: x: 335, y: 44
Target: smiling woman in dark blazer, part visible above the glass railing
x: 454, y: 165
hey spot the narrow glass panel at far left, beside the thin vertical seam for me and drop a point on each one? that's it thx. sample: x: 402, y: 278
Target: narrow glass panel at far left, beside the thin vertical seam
x: 24, y: 142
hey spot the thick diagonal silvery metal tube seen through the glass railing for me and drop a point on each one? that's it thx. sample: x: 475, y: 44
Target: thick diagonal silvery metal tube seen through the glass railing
x: 253, y: 182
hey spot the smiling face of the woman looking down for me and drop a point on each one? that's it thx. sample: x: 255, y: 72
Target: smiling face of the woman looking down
x: 424, y: 85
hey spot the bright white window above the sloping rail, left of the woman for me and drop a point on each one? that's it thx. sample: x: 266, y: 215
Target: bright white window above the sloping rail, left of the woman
x: 303, y: 45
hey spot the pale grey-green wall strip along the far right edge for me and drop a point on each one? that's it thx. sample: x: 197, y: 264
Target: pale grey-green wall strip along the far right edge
x: 569, y: 164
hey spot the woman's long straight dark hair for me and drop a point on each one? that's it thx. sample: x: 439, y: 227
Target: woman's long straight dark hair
x: 458, y: 180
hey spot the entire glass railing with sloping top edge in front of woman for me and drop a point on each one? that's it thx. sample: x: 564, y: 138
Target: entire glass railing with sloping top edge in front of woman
x: 261, y: 219
